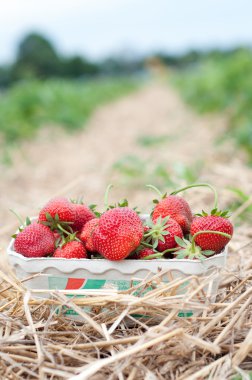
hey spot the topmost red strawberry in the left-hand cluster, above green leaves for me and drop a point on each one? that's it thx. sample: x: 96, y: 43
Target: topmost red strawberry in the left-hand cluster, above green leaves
x: 60, y: 210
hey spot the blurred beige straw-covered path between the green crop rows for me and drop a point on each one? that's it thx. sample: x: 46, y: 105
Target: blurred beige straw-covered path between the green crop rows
x: 81, y: 163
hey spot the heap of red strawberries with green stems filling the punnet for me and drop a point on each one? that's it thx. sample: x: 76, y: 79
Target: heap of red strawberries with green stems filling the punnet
x: 70, y: 230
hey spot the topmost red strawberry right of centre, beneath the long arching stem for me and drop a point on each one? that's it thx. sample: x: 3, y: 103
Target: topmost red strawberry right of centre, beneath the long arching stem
x: 175, y: 207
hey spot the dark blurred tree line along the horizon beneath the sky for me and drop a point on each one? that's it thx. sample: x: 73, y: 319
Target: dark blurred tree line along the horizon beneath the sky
x: 37, y: 57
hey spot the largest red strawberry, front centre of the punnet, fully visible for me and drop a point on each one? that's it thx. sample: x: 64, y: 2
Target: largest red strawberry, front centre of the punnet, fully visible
x: 119, y: 232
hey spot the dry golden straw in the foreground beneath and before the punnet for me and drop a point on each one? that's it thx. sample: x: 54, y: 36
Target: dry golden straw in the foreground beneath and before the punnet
x: 112, y: 343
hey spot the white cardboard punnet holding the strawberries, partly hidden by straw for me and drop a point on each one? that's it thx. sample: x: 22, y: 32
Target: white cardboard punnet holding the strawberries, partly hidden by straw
x: 79, y: 277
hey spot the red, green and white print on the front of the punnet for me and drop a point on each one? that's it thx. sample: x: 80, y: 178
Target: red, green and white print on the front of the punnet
x: 64, y: 283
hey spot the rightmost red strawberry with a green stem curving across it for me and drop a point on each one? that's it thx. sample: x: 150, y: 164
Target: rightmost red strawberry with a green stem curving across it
x: 213, y: 222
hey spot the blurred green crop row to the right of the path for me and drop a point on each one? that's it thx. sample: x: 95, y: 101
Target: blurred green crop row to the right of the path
x: 220, y: 84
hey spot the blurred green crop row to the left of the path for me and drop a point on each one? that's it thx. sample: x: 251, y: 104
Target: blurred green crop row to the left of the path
x: 28, y: 106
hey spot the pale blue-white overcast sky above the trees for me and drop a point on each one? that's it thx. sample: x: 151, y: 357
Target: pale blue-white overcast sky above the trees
x: 99, y: 27
